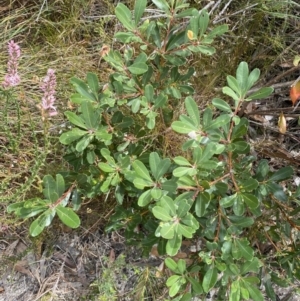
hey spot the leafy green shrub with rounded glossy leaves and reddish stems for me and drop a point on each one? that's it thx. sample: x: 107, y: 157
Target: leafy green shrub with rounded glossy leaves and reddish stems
x: 214, y: 189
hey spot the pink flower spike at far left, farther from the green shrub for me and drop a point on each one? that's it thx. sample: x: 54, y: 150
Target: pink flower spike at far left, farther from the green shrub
x: 12, y: 78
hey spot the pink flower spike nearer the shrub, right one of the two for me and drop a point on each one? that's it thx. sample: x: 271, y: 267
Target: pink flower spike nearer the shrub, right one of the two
x: 48, y: 86
